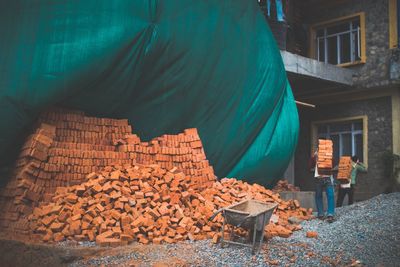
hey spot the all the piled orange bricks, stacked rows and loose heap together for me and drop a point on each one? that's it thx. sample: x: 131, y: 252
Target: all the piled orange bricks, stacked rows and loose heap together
x: 88, y: 178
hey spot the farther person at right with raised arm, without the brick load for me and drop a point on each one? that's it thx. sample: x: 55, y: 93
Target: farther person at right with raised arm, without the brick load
x: 349, y: 188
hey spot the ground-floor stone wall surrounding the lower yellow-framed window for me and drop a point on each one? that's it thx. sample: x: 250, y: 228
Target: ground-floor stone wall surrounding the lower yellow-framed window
x: 379, y: 112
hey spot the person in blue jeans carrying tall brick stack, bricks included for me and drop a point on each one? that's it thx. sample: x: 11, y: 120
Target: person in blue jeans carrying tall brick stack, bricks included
x: 321, y: 165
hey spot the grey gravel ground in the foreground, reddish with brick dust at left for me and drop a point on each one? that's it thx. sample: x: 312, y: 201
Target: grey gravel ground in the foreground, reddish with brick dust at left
x: 367, y: 232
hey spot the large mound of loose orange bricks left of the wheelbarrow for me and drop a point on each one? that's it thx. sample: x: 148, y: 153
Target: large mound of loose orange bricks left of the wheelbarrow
x: 145, y: 203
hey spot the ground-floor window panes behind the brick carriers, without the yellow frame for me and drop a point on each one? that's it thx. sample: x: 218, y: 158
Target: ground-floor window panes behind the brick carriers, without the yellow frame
x: 347, y: 137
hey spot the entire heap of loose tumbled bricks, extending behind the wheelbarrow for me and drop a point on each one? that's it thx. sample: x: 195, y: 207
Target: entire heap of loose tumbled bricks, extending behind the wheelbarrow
x: 147, y: 203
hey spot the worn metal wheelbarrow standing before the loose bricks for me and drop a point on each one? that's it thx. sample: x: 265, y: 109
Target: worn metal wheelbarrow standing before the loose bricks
x: 251, y: 215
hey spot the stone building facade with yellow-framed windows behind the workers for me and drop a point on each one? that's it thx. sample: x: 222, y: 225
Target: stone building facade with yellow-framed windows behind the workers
x: 343, y: 56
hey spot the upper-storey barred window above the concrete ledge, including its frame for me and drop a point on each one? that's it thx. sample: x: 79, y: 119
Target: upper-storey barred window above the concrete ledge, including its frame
x: 340, y: 41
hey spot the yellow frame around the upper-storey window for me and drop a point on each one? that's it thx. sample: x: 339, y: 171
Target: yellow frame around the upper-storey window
x: 323, y: 24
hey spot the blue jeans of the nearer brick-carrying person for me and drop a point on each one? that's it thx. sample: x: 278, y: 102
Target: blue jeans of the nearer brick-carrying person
x: 327, y: 184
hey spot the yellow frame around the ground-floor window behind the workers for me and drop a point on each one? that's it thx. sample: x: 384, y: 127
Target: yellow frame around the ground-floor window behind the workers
x: 364, y: 119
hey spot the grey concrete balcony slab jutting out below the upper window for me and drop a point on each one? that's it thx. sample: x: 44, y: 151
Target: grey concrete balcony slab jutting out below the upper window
x: 309, y: 77
